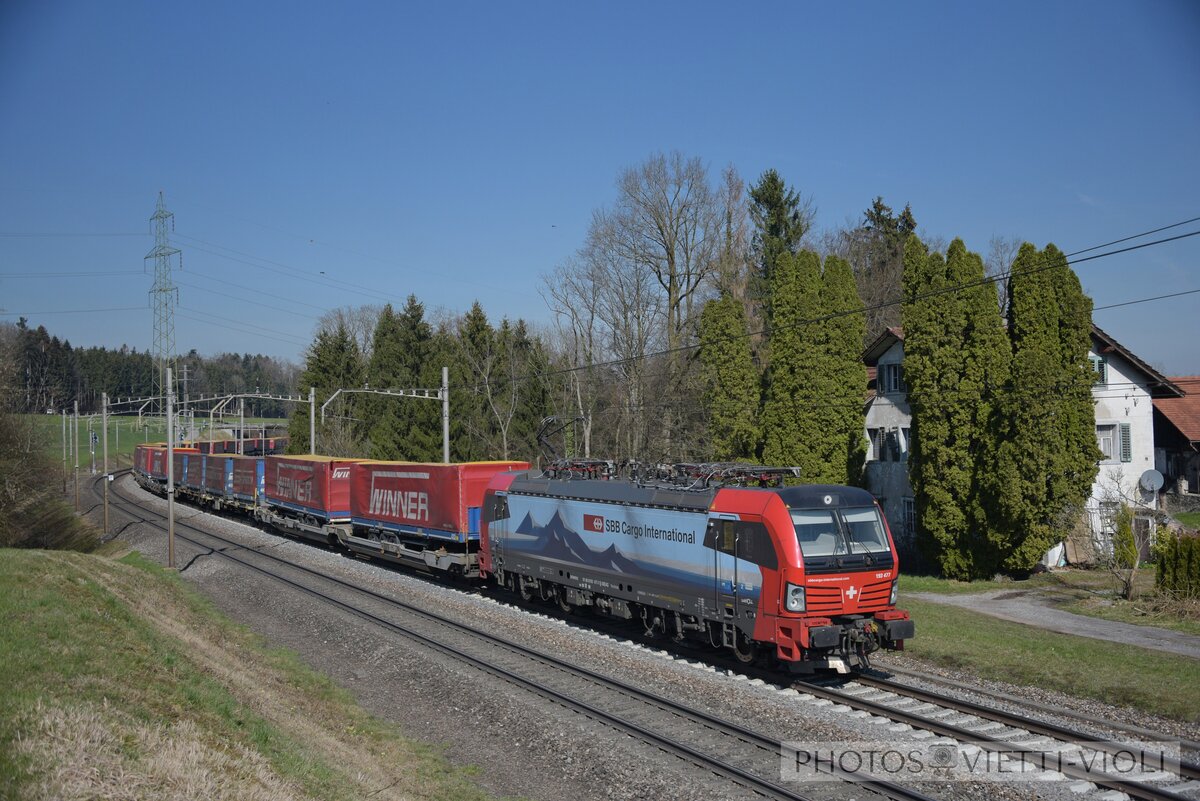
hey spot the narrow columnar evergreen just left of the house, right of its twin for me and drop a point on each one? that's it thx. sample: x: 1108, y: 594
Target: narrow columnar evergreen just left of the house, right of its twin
x: 843, y: 338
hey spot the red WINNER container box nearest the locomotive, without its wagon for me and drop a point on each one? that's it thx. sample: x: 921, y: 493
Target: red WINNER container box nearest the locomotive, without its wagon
x: 442, y: 497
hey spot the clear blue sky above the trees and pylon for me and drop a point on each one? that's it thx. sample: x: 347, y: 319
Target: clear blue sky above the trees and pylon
x: 457, y: 152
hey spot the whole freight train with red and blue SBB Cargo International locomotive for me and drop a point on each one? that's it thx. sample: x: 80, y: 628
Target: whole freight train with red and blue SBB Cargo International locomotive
x: 727, y: 556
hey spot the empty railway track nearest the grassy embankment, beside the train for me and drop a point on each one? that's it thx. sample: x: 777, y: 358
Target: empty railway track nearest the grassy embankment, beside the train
x: 748, y: 758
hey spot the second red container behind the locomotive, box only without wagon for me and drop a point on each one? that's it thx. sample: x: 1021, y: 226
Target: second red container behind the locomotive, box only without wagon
x: 319, y: 485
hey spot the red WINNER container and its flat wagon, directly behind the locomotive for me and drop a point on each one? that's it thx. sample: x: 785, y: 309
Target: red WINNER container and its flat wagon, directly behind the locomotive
x: 422, y: 514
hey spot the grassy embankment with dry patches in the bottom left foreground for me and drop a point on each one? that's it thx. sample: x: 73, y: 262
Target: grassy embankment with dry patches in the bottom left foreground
x: 122, y: 683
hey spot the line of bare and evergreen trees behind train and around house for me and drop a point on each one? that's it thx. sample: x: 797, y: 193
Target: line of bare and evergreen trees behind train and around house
x: 704, y: 321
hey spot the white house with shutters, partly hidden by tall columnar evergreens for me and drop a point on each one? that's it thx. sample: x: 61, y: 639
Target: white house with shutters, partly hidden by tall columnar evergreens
x: 1125, y: 433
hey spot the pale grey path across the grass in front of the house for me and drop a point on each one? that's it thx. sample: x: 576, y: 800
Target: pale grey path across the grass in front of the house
x: 1033, y: 609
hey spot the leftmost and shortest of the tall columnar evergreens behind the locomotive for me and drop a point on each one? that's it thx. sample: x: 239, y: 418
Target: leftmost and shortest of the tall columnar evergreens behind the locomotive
x: 731, y: 381
